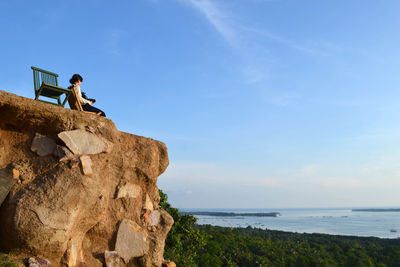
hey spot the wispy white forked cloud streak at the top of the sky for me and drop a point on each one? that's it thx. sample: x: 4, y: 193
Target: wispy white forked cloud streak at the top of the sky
x: 248, y: 41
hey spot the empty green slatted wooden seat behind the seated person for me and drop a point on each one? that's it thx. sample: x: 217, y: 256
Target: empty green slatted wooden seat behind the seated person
x: 46, y: 85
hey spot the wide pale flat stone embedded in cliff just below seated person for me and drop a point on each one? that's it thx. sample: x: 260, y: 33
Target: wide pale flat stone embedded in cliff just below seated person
x: 82, y: 142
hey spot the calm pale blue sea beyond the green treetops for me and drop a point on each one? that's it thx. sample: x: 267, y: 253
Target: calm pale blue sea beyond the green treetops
x: 334, y: 221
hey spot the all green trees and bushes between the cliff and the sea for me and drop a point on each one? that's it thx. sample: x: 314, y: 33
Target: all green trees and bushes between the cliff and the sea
x: 189, y: 244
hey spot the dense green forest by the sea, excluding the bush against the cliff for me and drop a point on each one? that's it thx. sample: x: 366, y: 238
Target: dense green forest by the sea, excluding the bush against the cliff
x: 256, y: 247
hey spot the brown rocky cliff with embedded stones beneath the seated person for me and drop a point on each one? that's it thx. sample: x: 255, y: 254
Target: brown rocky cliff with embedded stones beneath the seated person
x: 78, y: 190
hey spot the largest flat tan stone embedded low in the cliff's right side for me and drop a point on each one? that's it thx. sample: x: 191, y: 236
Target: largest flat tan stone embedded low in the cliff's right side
x: 131, y: 240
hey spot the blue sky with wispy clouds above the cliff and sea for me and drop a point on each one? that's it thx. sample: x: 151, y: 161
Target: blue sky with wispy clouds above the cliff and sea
x: 261, y: 103
